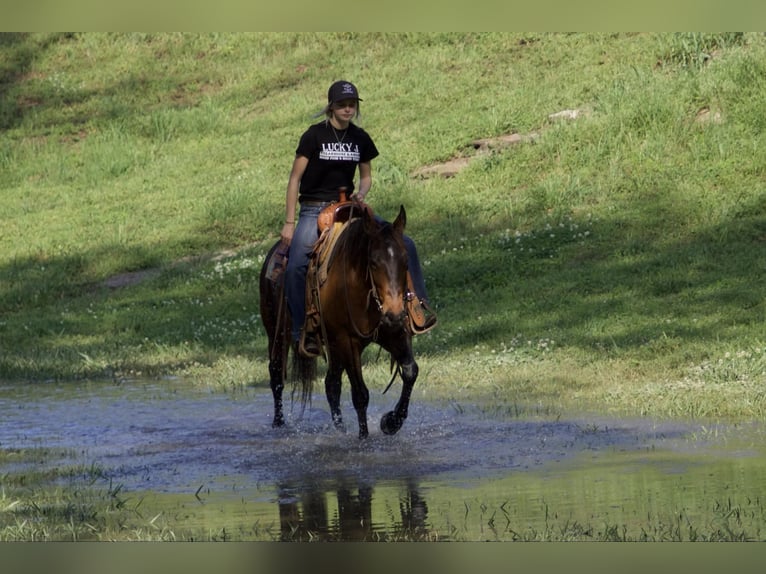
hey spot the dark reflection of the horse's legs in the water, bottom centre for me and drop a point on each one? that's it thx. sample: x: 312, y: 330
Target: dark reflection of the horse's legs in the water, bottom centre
x: 347, y: 513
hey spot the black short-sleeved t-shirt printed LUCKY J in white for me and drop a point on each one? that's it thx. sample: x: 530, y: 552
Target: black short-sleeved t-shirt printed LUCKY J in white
x: 333, y: 156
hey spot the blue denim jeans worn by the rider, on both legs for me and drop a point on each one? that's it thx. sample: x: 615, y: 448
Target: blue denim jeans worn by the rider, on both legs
x: 301, y: 246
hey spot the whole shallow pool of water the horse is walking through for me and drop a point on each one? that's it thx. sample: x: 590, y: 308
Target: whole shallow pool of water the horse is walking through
x: 212, y: 460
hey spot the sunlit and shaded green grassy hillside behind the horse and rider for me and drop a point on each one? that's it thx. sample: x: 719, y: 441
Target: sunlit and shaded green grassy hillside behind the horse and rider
x: 613, y: 259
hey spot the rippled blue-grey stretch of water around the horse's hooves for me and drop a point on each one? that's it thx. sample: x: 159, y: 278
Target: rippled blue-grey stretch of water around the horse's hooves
x: 166, y: 436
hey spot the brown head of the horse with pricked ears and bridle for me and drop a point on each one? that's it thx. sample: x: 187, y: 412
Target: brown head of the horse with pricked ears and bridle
x: 388, y: 268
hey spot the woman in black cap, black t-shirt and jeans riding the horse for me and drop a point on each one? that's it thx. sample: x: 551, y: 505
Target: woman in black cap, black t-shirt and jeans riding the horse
x: 326, y: 160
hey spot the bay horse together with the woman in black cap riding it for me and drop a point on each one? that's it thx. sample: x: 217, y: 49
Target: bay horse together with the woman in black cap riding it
x: 368, y: 295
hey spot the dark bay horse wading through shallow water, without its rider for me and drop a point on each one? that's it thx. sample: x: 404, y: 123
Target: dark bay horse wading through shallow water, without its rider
x: 362, y: 301
